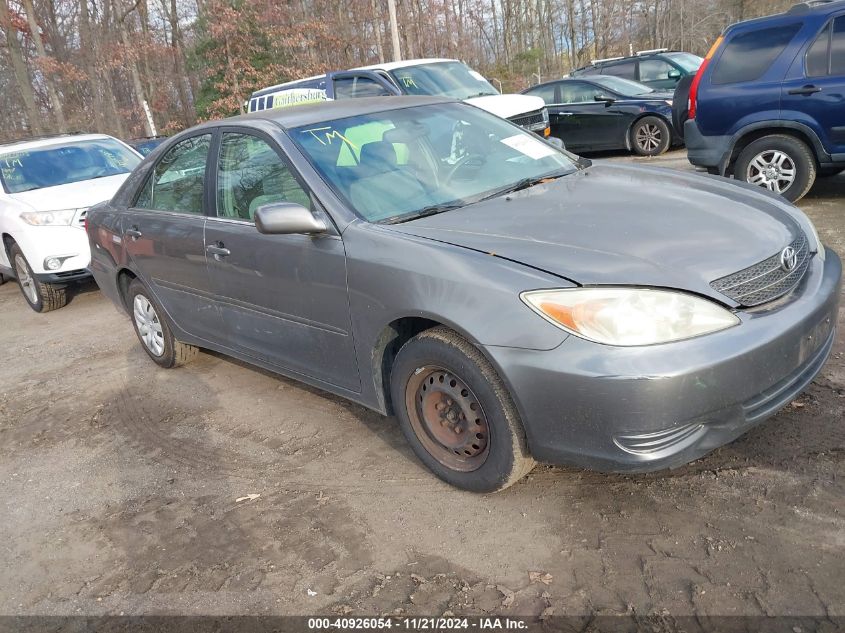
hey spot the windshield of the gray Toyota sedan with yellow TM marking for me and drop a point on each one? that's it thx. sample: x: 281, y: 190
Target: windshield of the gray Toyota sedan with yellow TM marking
x: 396, y: 165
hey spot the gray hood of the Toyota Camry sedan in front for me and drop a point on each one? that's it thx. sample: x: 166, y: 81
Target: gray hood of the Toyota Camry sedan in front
x: 619, y: 225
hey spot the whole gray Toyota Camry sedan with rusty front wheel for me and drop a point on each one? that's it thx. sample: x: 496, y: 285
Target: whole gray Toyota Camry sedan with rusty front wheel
x: 505, y: 300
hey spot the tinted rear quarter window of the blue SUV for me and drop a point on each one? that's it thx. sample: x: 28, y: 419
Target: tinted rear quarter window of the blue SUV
x: 749, y: 55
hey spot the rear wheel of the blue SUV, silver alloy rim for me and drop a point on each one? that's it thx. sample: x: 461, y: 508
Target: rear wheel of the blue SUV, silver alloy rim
x: 764, y: 151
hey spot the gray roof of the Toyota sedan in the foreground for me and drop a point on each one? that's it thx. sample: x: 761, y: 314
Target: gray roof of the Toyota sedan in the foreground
x: 313, y: 113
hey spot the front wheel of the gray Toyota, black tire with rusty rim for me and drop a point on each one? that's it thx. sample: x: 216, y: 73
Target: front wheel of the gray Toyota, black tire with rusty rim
x: 505, y: 458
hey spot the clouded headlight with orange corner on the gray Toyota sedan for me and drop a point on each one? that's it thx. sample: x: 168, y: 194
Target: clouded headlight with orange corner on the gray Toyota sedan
x: 629, y: 316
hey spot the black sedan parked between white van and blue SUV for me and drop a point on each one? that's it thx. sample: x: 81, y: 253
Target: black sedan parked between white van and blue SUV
x: 603, y: 112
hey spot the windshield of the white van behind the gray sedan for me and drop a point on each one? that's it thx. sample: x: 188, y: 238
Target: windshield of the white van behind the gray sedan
x: 447, y: 79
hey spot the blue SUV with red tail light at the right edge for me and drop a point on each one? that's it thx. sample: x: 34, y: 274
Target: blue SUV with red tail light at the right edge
x: 768, y: 104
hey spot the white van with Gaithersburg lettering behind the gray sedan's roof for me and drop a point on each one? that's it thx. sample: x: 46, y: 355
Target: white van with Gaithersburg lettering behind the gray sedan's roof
x: 438, y: 77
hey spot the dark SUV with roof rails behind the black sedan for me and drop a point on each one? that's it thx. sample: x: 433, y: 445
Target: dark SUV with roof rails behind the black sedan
x: 660, y: 69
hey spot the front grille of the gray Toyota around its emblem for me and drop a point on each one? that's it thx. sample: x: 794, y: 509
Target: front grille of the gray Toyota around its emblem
x: 765, y: 281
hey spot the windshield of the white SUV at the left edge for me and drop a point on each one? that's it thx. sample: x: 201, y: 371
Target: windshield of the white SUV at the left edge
x: 39, y: 168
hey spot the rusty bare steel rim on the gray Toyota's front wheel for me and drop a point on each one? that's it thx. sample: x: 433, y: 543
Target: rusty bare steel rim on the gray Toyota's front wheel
x: 447, y: 418
